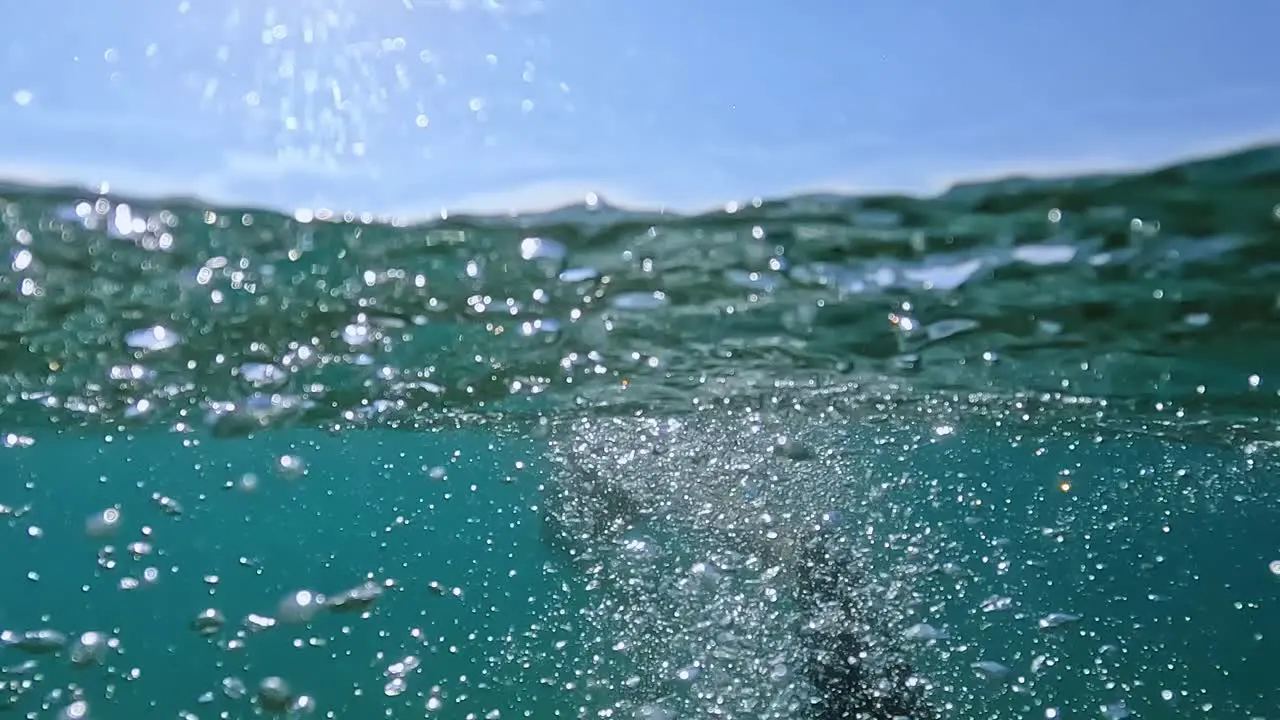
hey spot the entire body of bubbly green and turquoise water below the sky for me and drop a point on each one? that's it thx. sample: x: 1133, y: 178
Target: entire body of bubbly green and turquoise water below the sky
x: 1014, y: 441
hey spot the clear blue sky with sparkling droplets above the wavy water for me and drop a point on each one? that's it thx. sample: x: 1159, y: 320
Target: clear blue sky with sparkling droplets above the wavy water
x: 405, y: 107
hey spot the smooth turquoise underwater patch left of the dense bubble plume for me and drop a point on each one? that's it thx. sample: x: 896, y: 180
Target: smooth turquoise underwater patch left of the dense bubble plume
x: 367, y: 509
